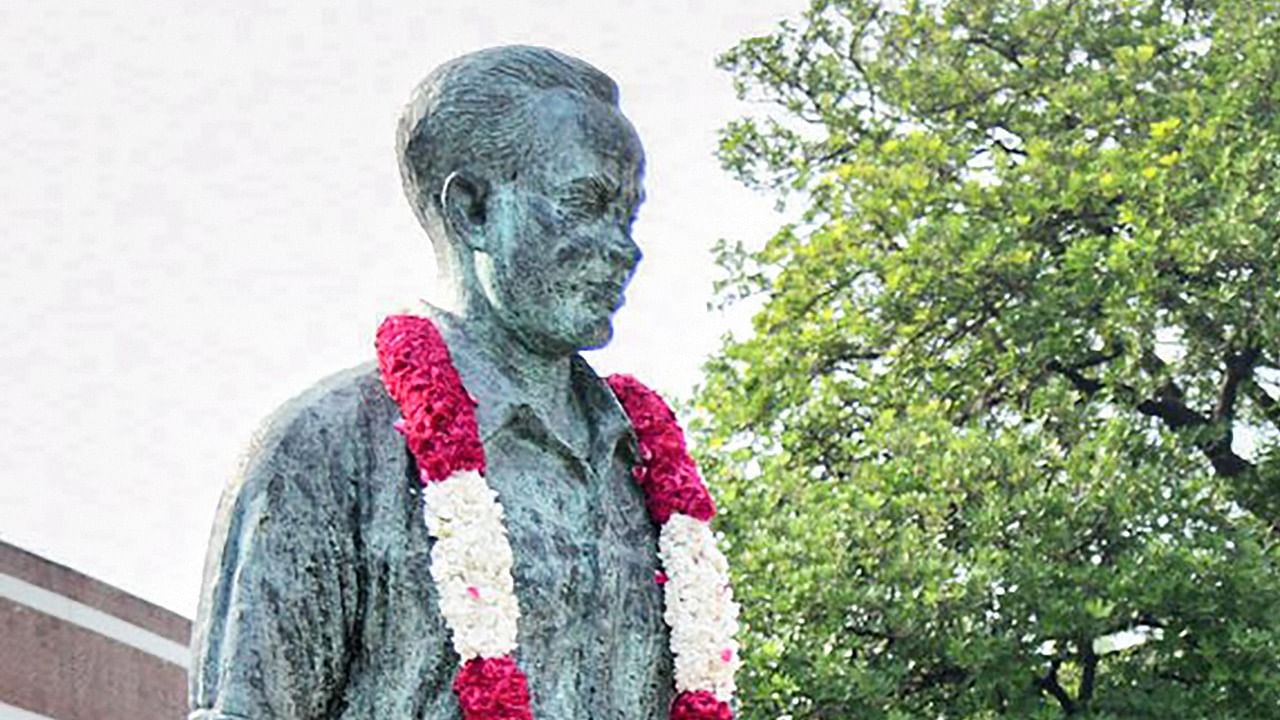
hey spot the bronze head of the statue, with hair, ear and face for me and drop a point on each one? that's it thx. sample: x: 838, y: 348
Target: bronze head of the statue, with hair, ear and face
x: 528, y: 179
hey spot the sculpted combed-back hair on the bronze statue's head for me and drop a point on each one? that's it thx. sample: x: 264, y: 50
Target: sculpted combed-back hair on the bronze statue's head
x: 470, y: 115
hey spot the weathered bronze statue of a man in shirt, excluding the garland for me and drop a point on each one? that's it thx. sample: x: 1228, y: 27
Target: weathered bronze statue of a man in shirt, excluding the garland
x: 318, y: 599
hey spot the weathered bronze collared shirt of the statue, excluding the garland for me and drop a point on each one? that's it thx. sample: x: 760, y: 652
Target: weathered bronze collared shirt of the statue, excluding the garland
x: 319, y: 603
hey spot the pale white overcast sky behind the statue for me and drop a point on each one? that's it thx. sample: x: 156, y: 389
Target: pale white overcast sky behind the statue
x: 202, y: 215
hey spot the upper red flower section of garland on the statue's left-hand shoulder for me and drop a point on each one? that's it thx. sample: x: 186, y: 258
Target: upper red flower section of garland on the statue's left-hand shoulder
x: 440, y: 422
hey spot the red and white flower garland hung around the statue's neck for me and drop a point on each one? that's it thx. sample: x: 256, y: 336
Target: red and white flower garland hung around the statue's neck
x: 472, y: 558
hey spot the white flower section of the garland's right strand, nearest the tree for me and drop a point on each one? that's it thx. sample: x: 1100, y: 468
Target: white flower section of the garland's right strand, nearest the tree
x: 701, y: 608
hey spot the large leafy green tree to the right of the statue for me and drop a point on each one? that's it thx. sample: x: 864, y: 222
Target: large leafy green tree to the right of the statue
x: 1004, y: 440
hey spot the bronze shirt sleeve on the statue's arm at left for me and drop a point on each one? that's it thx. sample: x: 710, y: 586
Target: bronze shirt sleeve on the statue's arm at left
x: 281, y: 596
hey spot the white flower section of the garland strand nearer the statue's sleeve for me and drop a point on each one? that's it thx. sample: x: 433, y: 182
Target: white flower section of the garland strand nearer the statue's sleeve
x: 472, y: 566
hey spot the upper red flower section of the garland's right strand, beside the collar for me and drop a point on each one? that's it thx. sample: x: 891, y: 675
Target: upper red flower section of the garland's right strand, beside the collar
x: 666, y: 472
